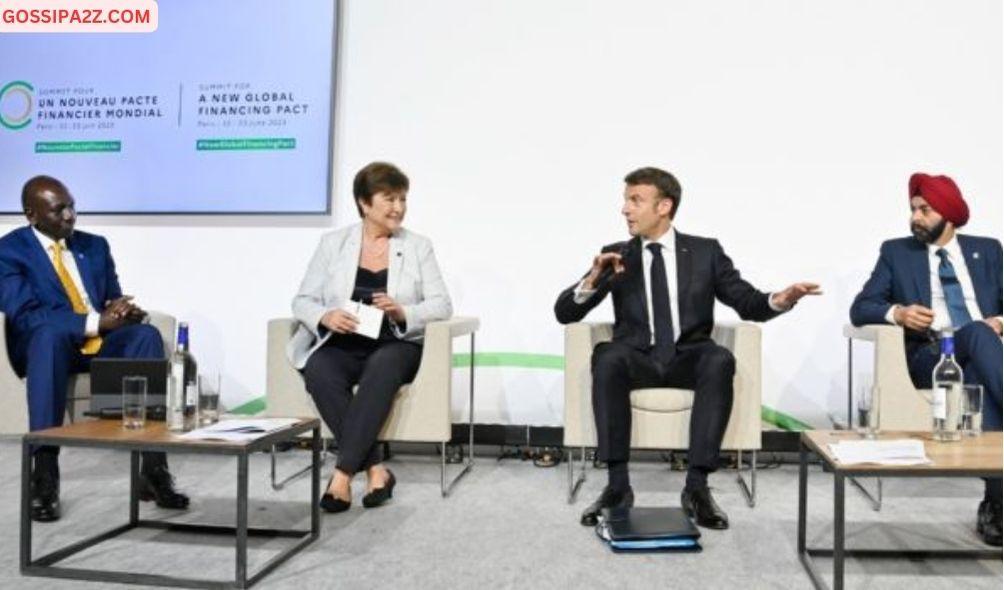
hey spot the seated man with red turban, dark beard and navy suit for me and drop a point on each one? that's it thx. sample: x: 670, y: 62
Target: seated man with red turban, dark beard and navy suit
x: 940, y: 280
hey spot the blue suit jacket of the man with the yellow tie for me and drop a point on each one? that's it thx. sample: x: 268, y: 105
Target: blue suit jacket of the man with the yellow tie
x: 32, y: 294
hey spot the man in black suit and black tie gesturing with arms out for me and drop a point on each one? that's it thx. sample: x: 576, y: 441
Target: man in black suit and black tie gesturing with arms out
x: 664, y: 285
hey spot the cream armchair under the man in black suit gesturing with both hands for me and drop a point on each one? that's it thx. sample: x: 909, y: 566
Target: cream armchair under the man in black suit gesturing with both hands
x: 661, y: 417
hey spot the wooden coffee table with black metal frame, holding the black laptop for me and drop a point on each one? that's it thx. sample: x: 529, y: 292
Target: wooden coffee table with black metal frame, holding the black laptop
x: 155, y: 438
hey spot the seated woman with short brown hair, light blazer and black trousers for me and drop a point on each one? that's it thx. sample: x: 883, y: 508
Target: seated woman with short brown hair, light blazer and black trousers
x: 378, y: 263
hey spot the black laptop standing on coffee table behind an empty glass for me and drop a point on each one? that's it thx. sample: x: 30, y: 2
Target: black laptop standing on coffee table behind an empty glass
x: 107, y: 386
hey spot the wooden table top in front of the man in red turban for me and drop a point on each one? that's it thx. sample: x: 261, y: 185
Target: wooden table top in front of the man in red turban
x: 971, y: 454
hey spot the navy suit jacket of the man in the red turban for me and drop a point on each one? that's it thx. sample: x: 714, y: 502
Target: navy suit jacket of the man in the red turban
x: 903, y: 276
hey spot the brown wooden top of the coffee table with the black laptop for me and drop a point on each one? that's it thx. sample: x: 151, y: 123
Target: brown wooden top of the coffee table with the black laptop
x: 110, y: 433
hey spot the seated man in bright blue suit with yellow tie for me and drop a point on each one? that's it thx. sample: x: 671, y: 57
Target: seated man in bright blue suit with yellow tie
x: 64, y: 308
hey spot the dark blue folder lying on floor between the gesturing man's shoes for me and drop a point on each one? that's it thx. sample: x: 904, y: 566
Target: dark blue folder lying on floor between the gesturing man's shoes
x: 648, y: 529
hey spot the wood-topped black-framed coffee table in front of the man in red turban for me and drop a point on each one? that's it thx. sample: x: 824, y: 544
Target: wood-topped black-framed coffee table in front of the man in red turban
x: 970, y: 458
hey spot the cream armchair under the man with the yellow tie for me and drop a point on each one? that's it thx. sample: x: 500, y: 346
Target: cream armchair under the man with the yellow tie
x: 15, y: 419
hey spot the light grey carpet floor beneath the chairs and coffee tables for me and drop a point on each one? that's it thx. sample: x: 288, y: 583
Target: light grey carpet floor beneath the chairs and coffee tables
x: 507, y: 526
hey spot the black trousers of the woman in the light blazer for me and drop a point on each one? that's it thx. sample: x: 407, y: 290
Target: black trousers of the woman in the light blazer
x: 380, y: 371
